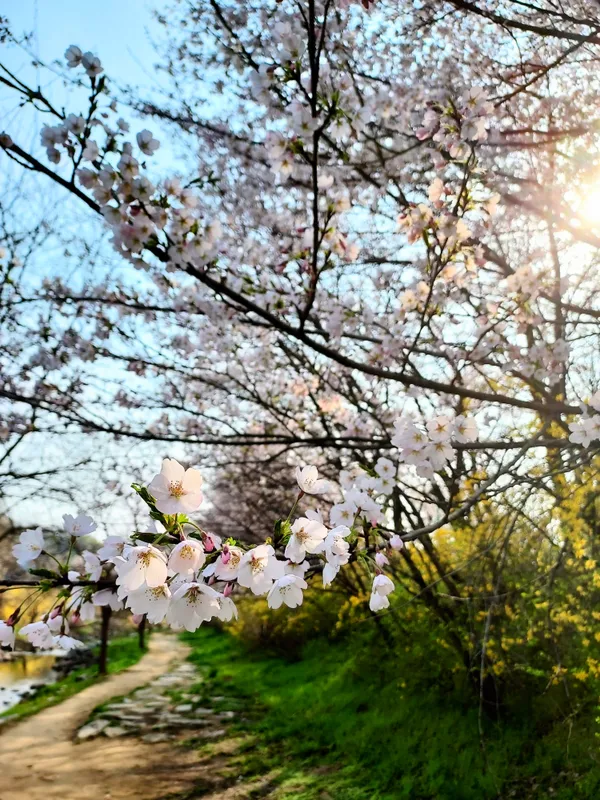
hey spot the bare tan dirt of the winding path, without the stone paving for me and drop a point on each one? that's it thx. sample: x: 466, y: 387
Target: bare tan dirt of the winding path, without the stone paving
x: 40, y: 761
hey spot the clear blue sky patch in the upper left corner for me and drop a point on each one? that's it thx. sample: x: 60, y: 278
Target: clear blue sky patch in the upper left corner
x: 121, y: 32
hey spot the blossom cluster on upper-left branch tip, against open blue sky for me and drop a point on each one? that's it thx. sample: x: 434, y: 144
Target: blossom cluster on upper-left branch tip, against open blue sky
x: 138, y: 212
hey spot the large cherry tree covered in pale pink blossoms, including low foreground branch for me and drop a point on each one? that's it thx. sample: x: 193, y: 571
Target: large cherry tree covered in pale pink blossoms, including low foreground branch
x: 382, y: 256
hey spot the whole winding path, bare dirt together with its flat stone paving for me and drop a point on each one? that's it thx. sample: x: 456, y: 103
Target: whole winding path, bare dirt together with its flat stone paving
x: 155, y: 731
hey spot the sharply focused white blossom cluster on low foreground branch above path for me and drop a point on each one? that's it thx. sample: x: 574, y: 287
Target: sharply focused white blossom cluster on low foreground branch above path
x: 178, y: 573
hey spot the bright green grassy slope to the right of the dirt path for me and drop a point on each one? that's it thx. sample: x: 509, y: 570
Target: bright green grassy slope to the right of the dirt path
x: 350, y: 722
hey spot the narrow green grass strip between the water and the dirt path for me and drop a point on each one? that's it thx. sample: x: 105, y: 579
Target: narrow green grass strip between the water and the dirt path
x: 123, y: 652
